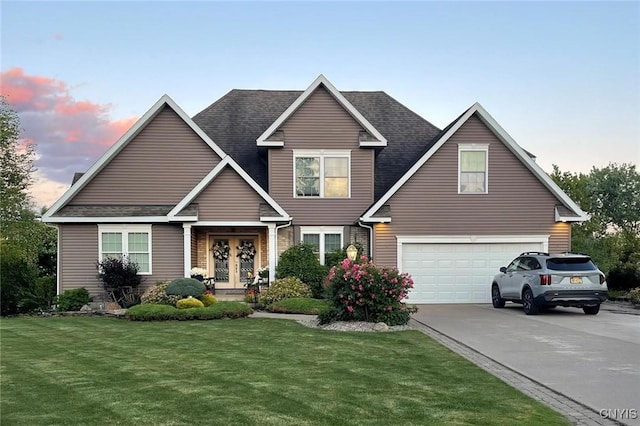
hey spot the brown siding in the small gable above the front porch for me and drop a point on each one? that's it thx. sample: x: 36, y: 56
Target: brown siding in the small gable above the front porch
x: 229, y: 197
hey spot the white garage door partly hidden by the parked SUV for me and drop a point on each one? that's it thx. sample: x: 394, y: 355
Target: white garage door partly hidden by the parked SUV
x: 460, y: 272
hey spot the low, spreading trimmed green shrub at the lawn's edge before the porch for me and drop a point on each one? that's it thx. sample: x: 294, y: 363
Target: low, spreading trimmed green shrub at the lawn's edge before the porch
x: 152, y: 312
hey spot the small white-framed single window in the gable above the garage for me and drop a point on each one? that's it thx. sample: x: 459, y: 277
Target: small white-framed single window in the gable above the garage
x: 473, y: 160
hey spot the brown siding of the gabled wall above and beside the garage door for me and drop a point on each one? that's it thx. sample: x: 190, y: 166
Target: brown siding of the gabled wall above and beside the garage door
x: 429, y: 203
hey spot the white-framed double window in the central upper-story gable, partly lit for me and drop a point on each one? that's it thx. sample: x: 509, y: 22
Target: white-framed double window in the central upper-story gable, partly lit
x: 322, y: 173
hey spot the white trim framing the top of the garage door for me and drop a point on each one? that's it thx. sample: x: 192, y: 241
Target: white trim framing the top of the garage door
x: 468, y: 239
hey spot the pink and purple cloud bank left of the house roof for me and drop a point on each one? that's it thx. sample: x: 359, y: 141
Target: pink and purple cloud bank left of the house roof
x: 70, y: 135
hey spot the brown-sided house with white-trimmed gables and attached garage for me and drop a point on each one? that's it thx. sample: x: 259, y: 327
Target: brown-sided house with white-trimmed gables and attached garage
x: 258, y: 171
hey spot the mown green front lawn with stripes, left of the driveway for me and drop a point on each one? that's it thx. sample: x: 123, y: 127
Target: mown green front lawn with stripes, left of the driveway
x: 99, y: 371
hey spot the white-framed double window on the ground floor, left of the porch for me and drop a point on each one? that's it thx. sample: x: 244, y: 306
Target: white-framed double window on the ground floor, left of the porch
x: 132, y: 241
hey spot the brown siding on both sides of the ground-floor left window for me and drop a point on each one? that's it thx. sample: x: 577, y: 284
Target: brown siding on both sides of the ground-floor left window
x: 79, y: 254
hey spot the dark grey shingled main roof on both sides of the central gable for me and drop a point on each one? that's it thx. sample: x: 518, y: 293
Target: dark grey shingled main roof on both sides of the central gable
x: 236, y: 120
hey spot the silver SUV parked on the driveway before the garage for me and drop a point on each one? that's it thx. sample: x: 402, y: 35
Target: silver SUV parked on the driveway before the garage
x: 544, y: 281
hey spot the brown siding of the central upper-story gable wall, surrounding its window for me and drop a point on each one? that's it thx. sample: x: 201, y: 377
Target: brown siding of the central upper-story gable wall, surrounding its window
x: 322, y: 123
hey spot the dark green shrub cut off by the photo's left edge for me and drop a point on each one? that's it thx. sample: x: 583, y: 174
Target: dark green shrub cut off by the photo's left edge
x: 17, y: 276
